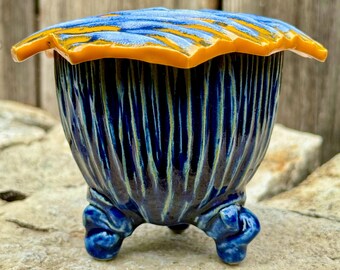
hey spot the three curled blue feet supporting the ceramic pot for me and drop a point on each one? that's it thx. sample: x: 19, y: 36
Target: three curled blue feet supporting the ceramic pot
x: 232, y: 228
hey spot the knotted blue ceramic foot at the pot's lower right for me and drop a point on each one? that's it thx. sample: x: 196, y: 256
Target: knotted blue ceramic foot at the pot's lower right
x: 233, y: 228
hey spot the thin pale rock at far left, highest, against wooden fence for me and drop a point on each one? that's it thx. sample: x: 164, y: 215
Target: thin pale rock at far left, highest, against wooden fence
x: 25, y: 114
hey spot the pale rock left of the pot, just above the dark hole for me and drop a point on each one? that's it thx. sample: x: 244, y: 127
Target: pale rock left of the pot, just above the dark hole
x: 43, y: 164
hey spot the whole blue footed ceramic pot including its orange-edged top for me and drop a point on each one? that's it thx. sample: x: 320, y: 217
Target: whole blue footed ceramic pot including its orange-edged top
x: 168, y: 114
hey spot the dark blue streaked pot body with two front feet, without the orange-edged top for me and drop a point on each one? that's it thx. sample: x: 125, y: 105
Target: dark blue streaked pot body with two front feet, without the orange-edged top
x: 169, y: 146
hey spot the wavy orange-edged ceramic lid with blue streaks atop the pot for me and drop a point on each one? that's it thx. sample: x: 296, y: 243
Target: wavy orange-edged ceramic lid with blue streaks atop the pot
x: 178, y: 38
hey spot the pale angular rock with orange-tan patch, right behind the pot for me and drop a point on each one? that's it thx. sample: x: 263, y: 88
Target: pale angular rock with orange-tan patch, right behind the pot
x: 291, y: 156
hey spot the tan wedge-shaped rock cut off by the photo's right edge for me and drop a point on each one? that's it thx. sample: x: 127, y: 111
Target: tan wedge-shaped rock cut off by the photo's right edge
x: 318, y: 195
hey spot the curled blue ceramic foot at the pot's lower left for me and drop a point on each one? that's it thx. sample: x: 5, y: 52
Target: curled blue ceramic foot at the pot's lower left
x: 106, y: 228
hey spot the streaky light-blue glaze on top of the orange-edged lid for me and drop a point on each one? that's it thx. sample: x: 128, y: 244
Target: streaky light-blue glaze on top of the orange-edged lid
x: 140, y: 27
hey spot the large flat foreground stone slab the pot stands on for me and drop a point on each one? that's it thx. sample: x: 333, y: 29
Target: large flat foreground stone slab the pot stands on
x: 45, y: 232
